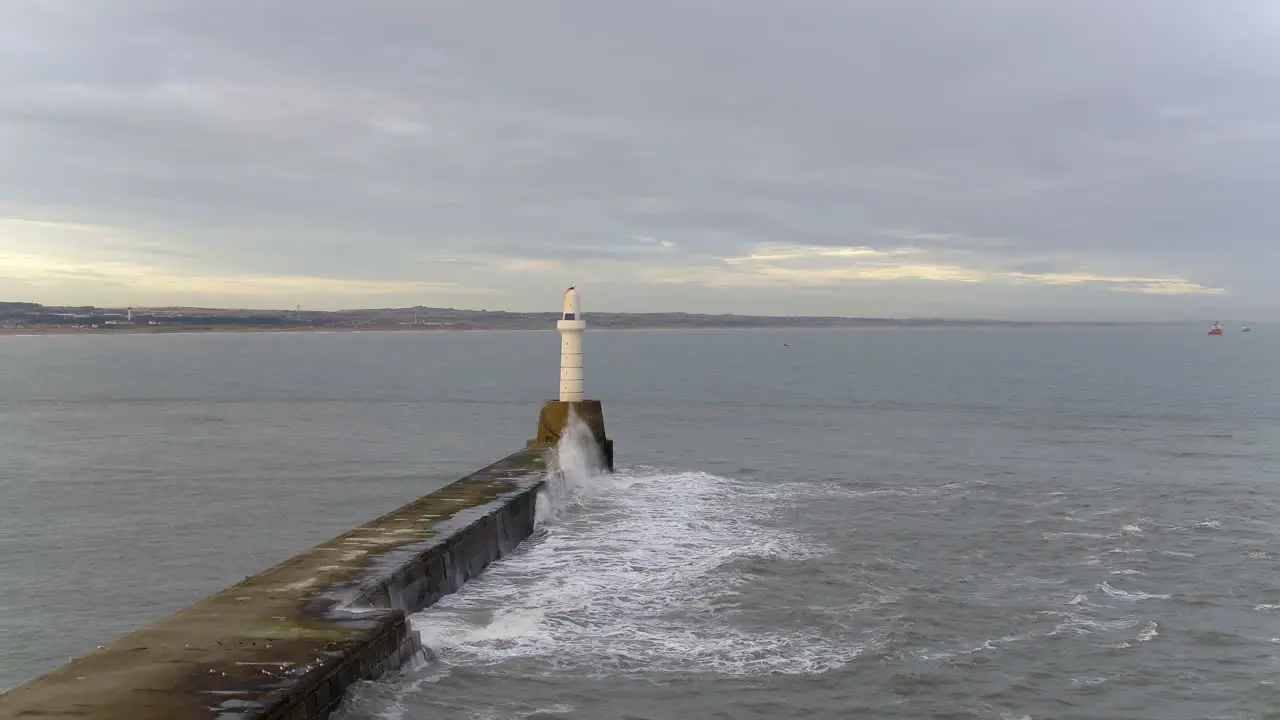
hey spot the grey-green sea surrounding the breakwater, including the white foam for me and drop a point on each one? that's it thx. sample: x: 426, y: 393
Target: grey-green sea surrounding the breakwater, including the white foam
x: 970, y: 523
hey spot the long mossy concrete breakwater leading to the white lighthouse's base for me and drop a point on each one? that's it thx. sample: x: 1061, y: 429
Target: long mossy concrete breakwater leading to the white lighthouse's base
x: 287, y: 644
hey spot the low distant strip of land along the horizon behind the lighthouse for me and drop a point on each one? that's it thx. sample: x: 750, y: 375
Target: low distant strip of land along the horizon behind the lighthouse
x: 30, y: 318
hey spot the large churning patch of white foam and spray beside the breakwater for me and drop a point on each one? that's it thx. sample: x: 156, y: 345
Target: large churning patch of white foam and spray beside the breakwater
x: 637, y: 573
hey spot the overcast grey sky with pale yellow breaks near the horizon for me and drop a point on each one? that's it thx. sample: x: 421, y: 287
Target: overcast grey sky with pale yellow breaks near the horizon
x: 1050, y: 160
